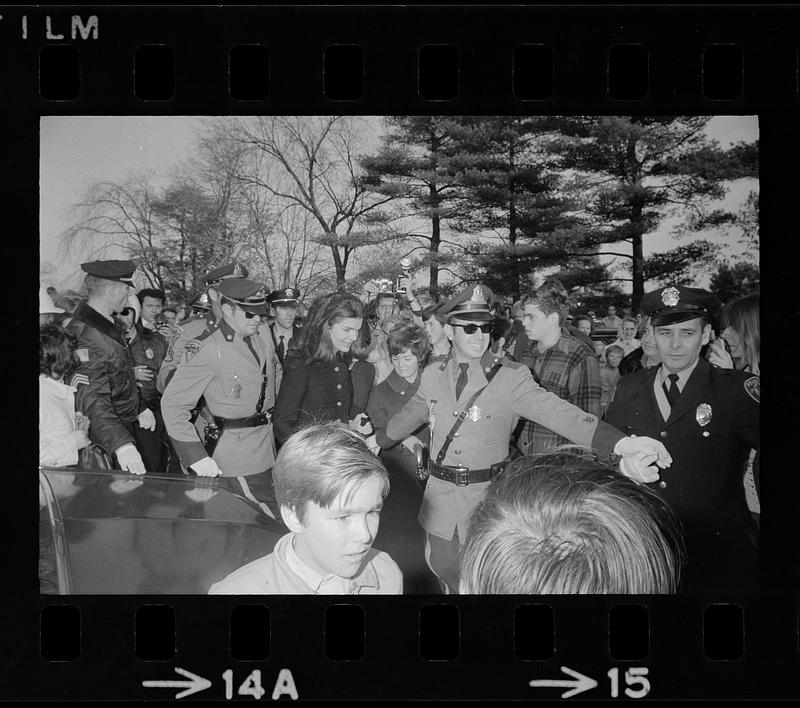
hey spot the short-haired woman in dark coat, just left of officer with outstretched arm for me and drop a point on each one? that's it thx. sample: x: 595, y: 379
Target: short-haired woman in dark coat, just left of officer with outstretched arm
x: 400, y: 533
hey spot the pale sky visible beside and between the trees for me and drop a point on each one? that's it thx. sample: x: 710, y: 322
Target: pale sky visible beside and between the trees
x: 77, y: 151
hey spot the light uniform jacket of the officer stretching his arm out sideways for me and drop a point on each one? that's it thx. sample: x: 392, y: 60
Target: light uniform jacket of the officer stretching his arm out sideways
x: 483, y: 437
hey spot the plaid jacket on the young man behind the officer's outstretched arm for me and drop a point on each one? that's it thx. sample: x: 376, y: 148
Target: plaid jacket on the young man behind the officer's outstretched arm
x: 570, y: 370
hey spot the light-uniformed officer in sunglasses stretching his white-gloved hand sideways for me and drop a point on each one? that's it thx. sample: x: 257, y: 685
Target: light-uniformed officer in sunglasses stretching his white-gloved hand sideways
x: 472, y: 401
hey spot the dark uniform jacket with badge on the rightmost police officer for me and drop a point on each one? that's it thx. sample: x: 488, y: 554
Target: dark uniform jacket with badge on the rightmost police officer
x: 704, y: 484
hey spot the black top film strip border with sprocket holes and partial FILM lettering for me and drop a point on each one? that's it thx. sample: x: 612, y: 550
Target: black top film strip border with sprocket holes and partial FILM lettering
x: 535, y: 59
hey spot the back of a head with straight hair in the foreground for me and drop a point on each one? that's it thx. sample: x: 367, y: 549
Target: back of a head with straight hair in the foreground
x: 563, y: 523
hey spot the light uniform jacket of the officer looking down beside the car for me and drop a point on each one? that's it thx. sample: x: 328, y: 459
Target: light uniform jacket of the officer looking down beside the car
x: 226, y: 369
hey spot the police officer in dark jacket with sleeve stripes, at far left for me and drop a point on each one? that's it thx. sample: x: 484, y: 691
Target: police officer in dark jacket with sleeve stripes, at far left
x: 105, y: 380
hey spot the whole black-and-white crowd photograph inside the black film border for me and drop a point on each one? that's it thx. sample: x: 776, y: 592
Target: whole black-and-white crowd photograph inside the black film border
x: 399, y: 355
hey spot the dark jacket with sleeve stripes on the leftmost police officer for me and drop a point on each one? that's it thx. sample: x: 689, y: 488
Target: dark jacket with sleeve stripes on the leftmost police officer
x: 105, y: 380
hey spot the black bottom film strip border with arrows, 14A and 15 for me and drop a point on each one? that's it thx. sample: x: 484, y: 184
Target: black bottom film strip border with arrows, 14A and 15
x: 443, y: 648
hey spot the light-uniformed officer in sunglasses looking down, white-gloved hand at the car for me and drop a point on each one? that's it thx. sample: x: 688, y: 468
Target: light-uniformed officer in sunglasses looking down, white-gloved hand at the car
x: 233, y: 368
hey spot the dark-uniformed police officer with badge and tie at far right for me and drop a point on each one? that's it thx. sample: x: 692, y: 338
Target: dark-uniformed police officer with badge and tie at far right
x: 708, y: 419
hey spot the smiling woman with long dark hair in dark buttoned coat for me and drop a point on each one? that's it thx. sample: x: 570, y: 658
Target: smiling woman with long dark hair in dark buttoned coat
x: 324, y: 375
